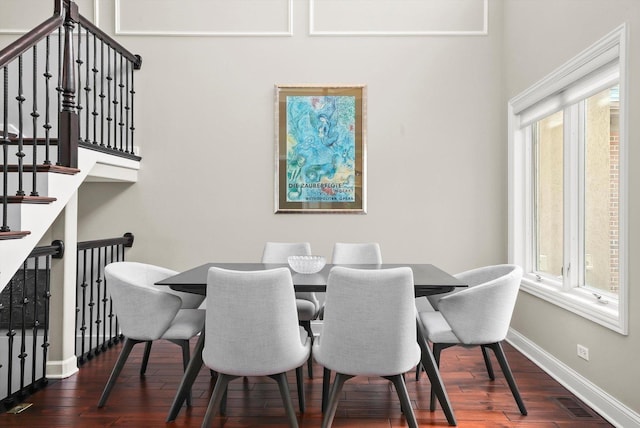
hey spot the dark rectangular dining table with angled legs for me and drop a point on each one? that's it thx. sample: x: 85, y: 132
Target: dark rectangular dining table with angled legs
x: 428, y: 280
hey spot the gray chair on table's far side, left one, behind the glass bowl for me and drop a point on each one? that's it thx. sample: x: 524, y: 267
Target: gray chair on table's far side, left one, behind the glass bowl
x: 307, y: 303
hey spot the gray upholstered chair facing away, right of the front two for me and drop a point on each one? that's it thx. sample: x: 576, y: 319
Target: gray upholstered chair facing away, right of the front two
x: 369, y: 329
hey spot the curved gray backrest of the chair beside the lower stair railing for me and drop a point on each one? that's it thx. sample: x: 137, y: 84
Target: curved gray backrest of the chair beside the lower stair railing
x: 144, y: 312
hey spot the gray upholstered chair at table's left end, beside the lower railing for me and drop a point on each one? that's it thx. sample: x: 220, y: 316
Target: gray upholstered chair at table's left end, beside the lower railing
x: 146, y: 313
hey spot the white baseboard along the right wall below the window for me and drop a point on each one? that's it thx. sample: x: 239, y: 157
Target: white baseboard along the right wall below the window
x: 599, y: 400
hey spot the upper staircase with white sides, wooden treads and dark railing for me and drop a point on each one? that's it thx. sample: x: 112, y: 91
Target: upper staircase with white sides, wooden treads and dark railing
x: 66, y: 116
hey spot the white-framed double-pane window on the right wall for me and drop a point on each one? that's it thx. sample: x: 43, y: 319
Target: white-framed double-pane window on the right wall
x: 567, y: 187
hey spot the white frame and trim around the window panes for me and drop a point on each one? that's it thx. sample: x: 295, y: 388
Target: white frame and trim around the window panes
x: 602, y: 65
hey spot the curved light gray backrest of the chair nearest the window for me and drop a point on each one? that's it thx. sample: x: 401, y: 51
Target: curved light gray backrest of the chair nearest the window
x: 482, y: 313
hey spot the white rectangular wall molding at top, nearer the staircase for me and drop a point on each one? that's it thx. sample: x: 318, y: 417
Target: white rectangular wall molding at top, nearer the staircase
x: 121, y: 30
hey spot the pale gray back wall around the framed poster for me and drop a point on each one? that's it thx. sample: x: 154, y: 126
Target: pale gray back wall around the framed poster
x: 436, y: 147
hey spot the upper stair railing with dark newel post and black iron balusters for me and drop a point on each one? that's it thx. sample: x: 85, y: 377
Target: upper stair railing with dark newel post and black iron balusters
x: 91, y: 103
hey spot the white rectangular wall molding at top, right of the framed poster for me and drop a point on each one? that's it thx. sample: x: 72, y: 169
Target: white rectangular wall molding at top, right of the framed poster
x: 315, y: 25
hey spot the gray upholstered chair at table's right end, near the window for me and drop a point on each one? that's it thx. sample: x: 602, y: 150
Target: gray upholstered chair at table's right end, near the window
x: 477, y: 316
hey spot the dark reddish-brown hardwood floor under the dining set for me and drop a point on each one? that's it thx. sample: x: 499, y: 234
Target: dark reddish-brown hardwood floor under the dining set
x: 255, y: 402
